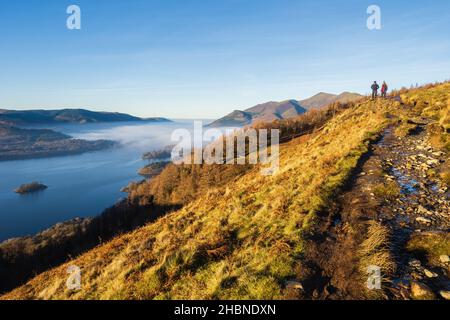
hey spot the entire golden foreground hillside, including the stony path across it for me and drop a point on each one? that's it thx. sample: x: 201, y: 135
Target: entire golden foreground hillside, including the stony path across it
x: 309, y: 231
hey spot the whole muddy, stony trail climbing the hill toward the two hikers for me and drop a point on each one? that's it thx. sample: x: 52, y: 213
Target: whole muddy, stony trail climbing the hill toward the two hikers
x: 396, y: 185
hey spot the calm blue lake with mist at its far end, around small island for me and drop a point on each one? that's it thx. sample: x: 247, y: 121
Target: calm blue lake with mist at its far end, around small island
x: 81, y: 185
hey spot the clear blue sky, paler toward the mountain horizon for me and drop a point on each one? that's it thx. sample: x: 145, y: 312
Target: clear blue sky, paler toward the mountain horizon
x: 205, y: 58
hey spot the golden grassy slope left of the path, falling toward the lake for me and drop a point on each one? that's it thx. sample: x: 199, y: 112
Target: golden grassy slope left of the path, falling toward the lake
x: 240, y: 240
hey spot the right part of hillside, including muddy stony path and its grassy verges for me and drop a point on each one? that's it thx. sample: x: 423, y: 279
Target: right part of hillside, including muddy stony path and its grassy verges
x: 395, y: 212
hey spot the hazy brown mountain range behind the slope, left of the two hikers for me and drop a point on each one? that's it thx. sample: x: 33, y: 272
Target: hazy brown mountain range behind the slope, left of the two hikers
x: 270, y: 111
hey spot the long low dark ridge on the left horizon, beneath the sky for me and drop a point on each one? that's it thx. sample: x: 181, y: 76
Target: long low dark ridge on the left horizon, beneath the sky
x: 13, y: 117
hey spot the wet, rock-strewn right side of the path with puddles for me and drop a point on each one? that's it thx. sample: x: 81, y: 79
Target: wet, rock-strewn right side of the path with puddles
x: 421, y: 208
